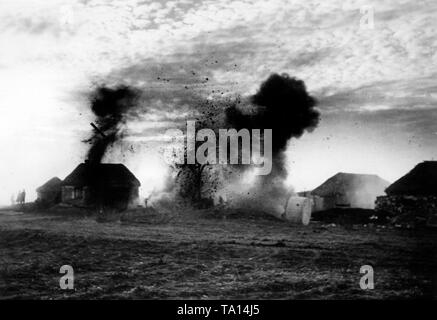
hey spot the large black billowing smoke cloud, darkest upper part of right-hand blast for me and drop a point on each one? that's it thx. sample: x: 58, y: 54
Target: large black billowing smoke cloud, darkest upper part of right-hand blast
x: 282, y: 104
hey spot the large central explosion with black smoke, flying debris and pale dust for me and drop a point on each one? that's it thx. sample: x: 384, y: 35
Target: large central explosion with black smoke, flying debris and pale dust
x: 282, y: 104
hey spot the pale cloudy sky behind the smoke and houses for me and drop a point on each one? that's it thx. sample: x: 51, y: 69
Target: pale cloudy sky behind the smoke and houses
x: 375, y: 82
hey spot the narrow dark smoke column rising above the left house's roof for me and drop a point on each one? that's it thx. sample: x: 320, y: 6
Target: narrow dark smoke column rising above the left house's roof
x: 110, y: 106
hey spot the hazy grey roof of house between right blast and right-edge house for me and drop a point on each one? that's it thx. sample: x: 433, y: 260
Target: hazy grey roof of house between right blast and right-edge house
x: 343, y: 182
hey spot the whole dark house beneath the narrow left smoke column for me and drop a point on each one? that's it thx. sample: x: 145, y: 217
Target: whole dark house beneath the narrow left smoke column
x: 100, y: 184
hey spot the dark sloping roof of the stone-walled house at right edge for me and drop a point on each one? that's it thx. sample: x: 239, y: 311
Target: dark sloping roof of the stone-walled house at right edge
x: 422, y: 180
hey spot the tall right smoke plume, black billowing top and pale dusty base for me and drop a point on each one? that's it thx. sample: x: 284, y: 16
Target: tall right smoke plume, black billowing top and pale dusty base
x: 282, y: 104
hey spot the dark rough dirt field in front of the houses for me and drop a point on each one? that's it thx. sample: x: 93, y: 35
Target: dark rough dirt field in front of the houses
x: 210, y: 258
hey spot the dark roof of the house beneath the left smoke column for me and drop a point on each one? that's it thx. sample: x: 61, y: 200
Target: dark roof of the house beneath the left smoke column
x: 107, y: 174
